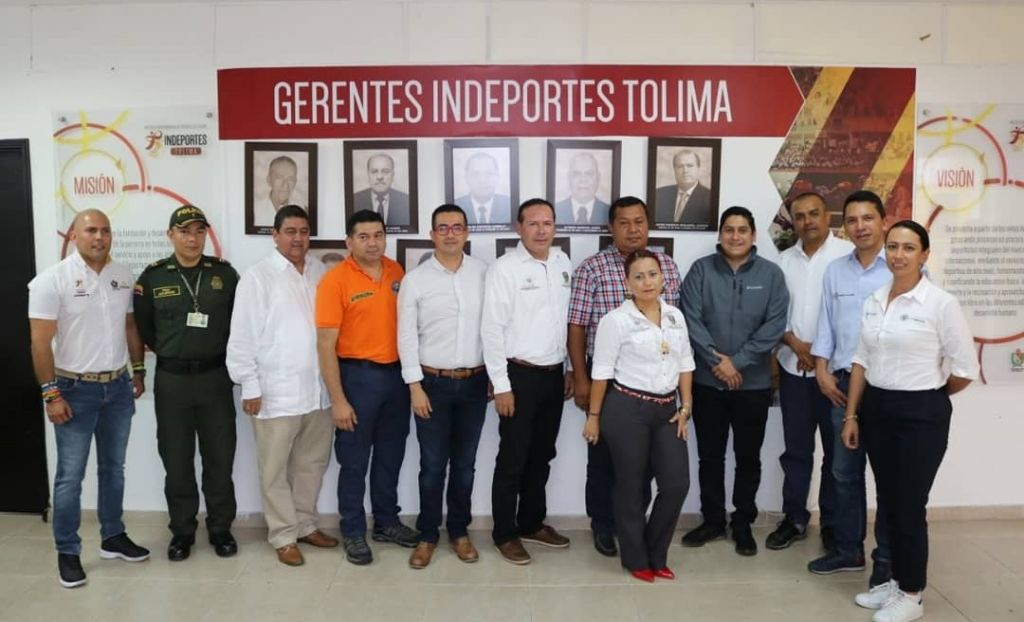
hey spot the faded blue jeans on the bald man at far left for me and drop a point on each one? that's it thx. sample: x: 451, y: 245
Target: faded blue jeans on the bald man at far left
x: 104, y: 411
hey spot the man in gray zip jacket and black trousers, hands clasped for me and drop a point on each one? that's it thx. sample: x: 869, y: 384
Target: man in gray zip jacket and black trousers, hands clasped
x: 736, y: 307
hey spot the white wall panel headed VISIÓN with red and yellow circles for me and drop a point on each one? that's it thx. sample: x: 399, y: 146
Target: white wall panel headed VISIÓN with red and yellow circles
x: 970, y: 193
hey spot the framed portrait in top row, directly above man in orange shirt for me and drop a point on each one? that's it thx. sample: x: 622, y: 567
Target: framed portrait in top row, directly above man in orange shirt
x: 380, y: 177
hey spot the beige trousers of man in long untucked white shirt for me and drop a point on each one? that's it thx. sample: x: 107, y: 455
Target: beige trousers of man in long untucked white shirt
x: 292, y: 454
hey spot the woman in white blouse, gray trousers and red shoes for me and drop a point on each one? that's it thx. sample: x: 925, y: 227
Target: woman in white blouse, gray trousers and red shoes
x: 643, y: 358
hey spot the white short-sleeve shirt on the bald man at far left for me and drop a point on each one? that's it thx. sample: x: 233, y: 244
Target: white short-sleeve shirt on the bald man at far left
x: 91, y: 312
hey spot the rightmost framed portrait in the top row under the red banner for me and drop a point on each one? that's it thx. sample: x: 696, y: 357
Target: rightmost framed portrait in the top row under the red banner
x: 684, y: 178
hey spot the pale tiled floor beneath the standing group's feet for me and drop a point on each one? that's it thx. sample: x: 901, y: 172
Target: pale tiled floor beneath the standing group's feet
x: 977, y: 574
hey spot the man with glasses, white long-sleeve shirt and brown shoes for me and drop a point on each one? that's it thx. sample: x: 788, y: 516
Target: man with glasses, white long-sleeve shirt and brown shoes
x: 440, y: 308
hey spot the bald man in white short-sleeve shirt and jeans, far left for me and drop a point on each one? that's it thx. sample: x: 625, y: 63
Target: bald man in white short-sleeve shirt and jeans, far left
x: 86, y: 305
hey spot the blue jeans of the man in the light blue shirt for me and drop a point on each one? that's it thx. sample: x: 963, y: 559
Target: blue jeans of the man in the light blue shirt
x: 850, y: 525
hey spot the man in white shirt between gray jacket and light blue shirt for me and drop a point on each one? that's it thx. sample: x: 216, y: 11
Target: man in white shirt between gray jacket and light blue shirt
x: 804, y: 407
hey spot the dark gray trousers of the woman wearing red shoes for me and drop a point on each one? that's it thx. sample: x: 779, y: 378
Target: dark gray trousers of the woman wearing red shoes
x: 643, y: 440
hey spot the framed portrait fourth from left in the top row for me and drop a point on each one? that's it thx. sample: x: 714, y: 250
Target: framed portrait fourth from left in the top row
x: 582, y: 183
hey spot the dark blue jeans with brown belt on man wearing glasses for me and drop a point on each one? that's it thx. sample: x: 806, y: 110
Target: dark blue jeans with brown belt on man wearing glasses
x: 448, y: 443
